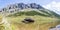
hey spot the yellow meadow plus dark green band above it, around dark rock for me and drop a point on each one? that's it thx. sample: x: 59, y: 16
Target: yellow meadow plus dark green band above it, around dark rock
x: 42, y: 21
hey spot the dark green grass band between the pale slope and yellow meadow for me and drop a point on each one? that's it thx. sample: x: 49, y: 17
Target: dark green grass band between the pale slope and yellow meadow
x: 29, y: 13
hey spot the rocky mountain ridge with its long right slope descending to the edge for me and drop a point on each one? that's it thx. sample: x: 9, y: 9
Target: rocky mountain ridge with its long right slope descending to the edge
x: 28, y: 7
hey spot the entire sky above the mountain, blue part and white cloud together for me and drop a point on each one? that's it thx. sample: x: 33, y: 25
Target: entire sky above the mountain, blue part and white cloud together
x: 53, y: 5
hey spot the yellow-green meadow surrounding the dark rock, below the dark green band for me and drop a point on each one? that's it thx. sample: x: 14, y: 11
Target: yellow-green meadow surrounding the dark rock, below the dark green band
x: 41, y: 22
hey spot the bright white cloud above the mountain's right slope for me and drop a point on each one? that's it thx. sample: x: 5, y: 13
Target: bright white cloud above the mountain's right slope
x: 54, y: 6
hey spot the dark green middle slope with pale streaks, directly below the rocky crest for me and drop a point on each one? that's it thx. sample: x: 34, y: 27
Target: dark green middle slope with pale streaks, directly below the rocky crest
x: 32, y: 12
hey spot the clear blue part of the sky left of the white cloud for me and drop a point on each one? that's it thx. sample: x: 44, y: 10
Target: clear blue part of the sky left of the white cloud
x: 4, y: 3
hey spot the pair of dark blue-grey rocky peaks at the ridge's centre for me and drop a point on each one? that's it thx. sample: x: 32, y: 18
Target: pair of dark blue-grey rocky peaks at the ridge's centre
x: 32, y: 5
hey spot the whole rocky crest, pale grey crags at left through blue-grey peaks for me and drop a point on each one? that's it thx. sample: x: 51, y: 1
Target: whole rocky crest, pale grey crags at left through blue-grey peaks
x: 20, y: 6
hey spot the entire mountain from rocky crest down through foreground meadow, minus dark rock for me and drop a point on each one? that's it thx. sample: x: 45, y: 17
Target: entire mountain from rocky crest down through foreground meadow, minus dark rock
x: 44, y: 19
